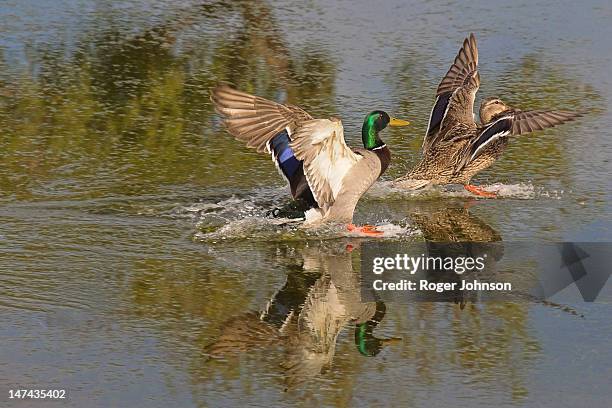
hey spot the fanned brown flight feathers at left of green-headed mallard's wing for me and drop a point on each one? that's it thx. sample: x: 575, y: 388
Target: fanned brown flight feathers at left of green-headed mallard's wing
x: 255, y: 120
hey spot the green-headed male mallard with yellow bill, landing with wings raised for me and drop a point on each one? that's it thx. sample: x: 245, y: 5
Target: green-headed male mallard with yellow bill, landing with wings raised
x: 322, y: 171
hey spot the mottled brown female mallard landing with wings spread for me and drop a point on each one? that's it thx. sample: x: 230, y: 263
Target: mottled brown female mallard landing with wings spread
x: 455, y: 148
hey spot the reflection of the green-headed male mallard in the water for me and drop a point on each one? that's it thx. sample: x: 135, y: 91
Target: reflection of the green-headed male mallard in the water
x: 306, y: 316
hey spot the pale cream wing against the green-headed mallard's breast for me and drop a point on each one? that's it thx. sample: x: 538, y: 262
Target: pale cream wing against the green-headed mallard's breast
x: 320, y: 144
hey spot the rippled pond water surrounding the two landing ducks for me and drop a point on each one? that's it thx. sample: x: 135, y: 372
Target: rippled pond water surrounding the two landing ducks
x: 133, y: 237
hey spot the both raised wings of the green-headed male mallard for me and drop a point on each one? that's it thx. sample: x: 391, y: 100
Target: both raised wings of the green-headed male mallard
x: 296, y: 141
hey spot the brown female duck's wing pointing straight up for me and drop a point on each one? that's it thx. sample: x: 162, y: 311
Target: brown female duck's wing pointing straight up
x: 455, y: 94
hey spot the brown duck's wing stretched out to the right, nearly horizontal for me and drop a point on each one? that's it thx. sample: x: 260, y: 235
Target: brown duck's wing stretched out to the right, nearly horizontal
x: 514, y: 124
